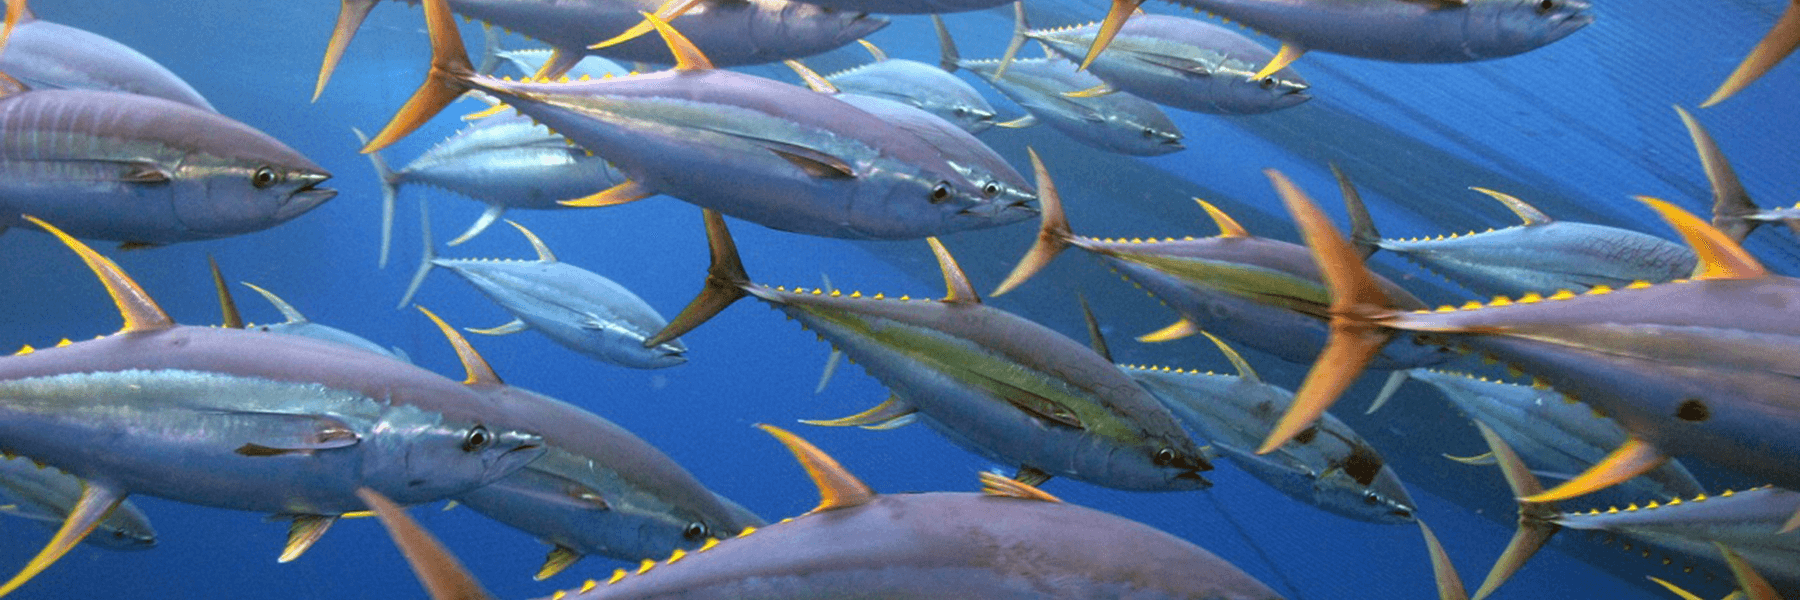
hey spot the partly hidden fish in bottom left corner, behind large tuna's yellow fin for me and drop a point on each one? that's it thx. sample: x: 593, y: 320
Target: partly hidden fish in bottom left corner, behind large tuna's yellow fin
x: 44, y: 495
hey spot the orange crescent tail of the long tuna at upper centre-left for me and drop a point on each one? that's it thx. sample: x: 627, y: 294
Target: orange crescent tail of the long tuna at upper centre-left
x: 444, y: 84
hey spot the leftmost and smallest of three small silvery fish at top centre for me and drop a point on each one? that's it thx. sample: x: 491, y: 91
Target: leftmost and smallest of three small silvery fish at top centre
x: 924, y: 87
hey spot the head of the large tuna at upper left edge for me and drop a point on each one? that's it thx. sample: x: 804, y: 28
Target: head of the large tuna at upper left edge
x: 246, y: 181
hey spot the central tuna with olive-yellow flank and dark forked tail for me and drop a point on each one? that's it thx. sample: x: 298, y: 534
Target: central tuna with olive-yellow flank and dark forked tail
x: 989, y: 381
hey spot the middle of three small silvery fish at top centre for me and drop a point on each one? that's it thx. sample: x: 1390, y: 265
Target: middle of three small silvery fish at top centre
x: 1117, y: 123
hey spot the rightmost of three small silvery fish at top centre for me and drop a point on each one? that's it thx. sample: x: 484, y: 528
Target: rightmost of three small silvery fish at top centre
x: 1178, y: 62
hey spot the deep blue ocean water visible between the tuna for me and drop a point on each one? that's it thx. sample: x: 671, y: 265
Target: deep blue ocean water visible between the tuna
x: 1574, y: 129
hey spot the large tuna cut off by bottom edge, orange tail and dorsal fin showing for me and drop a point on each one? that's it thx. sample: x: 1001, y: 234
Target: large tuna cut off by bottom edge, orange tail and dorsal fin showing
x: 1011, y: 541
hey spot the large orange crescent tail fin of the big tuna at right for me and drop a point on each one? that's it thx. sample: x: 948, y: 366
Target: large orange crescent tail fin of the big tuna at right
x: 1358, y: 304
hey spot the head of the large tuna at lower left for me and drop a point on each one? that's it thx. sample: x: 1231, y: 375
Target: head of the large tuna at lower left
x: 429, y: 457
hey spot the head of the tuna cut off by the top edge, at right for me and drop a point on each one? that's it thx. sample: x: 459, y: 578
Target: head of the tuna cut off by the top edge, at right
x: 1506, y: 28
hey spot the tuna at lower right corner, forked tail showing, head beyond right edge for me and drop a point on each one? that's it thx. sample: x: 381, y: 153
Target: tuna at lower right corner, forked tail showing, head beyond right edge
x: 1749, y: 527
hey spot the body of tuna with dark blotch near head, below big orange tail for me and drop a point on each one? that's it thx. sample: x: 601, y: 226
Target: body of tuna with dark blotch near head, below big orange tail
x: 1333, y: 468
